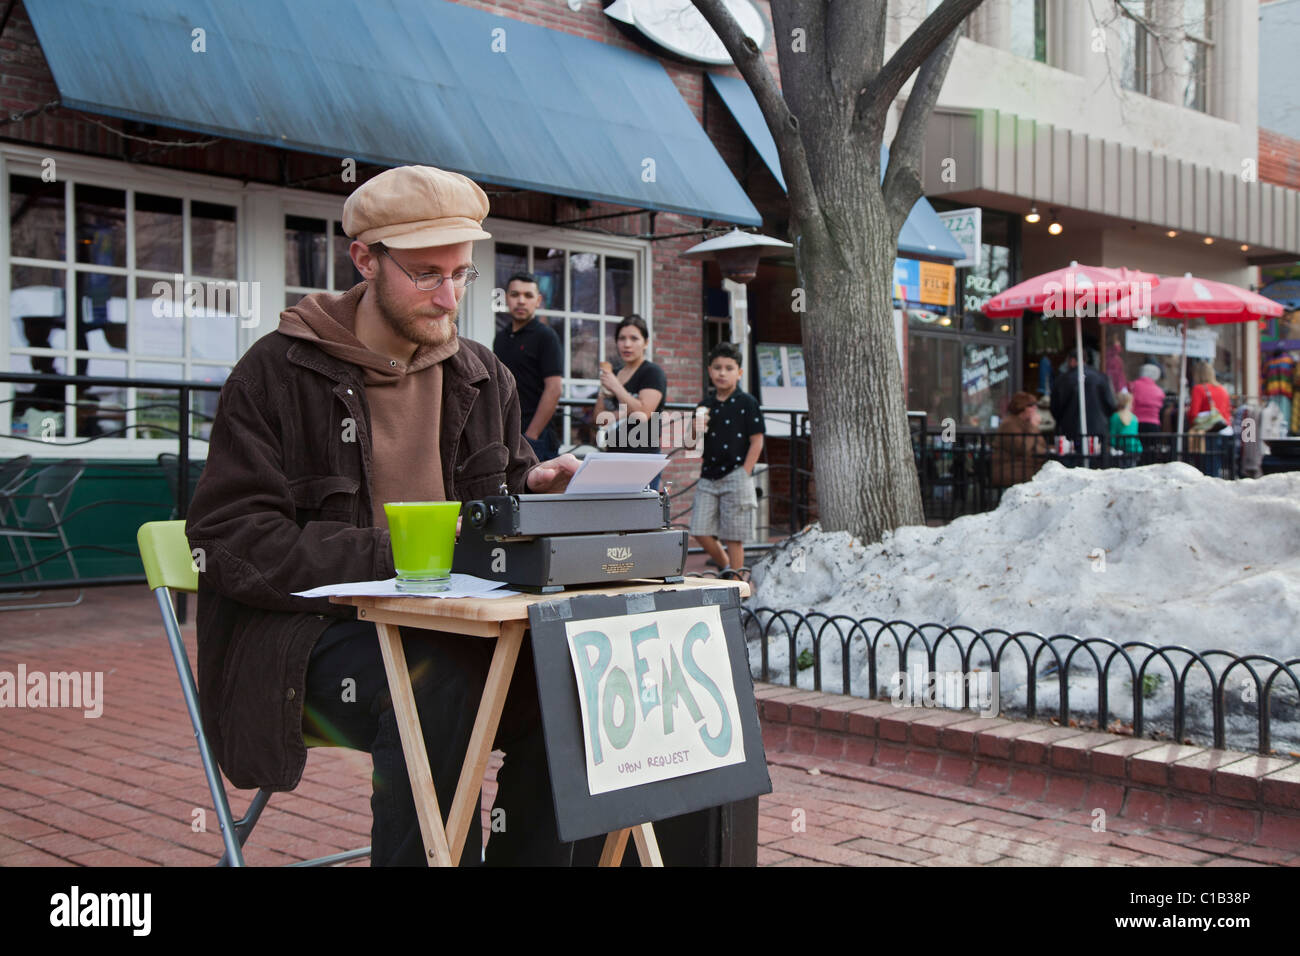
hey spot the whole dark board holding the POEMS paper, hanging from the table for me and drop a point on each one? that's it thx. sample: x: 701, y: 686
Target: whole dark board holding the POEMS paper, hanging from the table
x: 648, y: 707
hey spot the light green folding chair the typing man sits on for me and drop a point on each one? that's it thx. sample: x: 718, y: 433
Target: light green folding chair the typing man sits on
x: 170, y: 566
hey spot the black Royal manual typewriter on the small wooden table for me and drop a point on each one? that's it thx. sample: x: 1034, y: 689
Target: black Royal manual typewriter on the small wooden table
x: 544, y: 543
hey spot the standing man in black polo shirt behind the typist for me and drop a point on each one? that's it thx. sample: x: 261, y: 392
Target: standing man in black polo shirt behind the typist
x: 531, y: 351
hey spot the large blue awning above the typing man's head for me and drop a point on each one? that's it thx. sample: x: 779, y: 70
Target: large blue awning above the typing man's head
x: 396, y: 83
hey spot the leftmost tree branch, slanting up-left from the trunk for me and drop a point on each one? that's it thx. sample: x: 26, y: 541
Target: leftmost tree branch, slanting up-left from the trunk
x: 783, y: 123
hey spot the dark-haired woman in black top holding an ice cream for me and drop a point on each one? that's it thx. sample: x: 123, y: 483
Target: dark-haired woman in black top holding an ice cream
x: 634, y: 395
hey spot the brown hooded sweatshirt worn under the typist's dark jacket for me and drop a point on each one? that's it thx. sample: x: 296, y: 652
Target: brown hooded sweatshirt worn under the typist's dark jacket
x: 406, y: 401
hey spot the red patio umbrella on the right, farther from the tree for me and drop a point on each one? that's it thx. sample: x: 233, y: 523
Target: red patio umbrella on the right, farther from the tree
x: 1186, y: 299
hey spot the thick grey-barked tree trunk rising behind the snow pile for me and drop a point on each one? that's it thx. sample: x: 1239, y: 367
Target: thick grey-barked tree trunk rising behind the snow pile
x: 829, y: 119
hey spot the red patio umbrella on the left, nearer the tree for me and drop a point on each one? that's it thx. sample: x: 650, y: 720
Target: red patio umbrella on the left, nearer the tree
x: 1073, y: 292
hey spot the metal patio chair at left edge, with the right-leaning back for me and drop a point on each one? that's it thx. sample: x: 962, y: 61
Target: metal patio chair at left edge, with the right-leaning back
x: 38, y: 516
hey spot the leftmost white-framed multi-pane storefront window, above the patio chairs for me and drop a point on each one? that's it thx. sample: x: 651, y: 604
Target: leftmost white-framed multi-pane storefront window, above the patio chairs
x: 111, y: 305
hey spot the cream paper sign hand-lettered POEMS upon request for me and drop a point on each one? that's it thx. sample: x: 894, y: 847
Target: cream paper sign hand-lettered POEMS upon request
x: 657, y: 697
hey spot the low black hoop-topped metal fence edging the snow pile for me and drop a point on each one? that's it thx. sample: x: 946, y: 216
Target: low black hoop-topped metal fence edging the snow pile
x: 1199, y: 695
